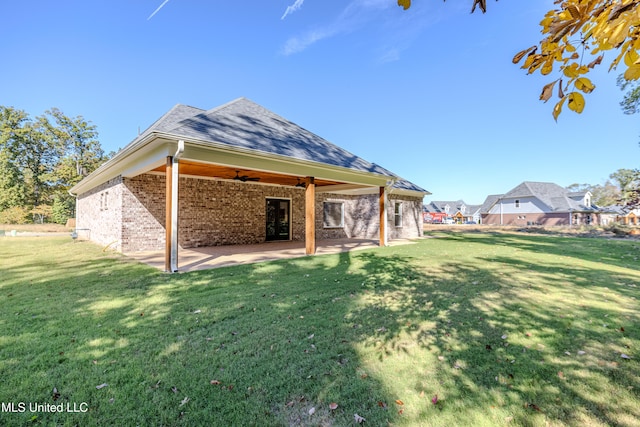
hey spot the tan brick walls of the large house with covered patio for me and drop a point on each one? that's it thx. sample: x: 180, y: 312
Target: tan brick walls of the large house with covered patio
x: 224, y: 213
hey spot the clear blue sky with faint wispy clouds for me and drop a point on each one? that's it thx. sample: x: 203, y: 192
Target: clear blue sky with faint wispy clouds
x: 429, y: 93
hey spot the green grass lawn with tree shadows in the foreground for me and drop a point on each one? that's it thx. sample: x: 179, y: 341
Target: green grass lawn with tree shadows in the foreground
x: 505, y: 329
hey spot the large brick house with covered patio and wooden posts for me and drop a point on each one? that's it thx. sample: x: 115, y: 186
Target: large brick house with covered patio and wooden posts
x: 239, y: 174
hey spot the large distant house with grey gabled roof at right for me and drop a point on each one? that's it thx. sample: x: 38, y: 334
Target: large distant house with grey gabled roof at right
x: 540, y: 203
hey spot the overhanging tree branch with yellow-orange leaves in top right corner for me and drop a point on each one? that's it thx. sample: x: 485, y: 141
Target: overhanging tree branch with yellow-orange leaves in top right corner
x: 577, y: 35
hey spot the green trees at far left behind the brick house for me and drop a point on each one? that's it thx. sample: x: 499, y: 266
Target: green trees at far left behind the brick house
x: 41, y: 158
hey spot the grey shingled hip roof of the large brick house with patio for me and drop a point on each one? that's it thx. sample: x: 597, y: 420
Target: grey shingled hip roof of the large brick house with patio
x: 247, y: 126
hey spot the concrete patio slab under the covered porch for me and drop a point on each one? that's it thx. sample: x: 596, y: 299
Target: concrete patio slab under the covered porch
x: 222, y: 256
